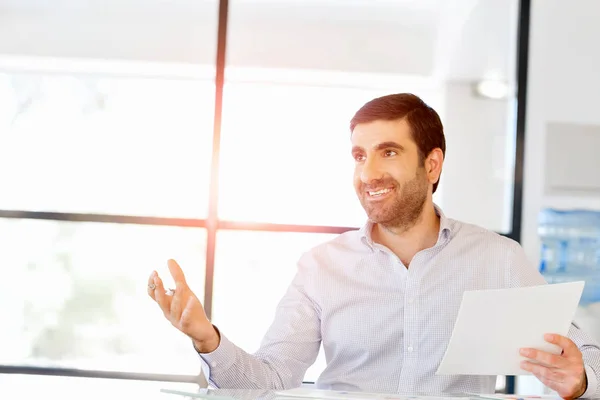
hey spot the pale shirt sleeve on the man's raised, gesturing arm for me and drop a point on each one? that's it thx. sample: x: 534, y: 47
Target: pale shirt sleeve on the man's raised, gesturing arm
x: 289, y: 348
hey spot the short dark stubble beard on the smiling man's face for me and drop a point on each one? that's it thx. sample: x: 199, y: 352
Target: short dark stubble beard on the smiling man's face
x: 402, y: 209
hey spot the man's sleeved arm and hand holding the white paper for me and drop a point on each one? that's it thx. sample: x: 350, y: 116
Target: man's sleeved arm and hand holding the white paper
x: 587, y: 352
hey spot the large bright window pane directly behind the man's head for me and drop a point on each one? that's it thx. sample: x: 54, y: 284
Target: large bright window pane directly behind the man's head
x: 291, y: 91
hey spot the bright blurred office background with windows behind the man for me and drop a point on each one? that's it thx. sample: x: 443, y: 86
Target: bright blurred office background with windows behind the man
x: 216, y: 133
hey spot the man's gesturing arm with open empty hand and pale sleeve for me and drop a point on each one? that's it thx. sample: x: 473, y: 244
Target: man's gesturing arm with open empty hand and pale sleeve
x: 289, y: 348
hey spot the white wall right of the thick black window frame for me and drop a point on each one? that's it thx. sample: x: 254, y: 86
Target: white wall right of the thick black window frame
x: 563, y: 86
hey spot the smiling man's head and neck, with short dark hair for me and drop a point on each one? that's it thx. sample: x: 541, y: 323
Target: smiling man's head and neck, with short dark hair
x: 394, y: 172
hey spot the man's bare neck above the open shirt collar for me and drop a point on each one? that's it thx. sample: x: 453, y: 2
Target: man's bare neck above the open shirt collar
x: 405, y: 242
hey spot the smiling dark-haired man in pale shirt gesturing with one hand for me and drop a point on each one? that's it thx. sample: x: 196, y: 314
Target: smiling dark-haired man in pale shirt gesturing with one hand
x: 383, y: 300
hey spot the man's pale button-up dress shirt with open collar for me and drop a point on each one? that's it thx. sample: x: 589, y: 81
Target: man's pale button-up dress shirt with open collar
x: 384, y: 328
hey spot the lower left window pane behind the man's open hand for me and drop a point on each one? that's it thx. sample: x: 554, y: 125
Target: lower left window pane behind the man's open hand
x: 78, y: 295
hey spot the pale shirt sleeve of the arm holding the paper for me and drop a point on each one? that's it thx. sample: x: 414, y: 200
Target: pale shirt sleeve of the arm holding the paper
x: 522, y: 273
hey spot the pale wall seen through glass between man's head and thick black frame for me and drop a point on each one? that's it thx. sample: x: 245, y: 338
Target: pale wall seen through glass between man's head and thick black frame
x: 476, y: 183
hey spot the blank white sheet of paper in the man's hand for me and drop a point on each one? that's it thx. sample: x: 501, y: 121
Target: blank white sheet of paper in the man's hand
x: 492, y: 325
